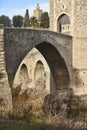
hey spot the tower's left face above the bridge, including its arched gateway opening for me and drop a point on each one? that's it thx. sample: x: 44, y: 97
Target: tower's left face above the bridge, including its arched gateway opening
x: 62, y: 16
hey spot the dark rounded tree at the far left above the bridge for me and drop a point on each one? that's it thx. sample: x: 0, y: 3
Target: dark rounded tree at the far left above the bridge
x: 5, y: 20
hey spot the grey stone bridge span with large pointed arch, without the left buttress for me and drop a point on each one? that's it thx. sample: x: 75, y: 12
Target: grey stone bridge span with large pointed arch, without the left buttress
x: 56, y: 49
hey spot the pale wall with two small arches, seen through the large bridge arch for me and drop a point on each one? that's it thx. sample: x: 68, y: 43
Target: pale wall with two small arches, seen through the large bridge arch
x: 34, y: 76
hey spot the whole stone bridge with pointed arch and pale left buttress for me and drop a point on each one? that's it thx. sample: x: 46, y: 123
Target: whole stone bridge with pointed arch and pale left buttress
x: 56, y: 48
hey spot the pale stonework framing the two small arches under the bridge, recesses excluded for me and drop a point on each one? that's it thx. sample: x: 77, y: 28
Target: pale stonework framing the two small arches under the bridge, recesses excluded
x: 30, y: 61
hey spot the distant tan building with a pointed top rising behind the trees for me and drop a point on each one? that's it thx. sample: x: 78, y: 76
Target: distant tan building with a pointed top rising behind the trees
x: 37, y: 13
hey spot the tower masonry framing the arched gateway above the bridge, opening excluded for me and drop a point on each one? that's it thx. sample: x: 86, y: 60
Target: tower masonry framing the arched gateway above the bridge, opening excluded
x: 59, y: 7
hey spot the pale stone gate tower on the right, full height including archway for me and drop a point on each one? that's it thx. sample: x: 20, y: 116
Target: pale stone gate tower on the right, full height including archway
x: 70, y: 17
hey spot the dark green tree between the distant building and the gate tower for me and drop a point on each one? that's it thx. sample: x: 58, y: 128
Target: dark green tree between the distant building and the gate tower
x: 45, y: 20
